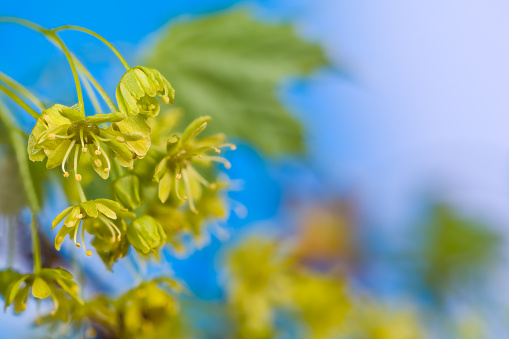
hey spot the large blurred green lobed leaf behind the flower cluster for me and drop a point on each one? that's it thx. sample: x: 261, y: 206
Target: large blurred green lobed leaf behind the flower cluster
x: 230, y: 66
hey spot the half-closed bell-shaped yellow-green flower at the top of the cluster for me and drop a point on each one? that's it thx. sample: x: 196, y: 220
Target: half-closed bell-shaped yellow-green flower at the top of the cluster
x: 138, y: 90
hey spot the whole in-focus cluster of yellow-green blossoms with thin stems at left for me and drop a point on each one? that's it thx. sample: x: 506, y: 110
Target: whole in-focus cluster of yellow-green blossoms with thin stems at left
x: 161, y: 183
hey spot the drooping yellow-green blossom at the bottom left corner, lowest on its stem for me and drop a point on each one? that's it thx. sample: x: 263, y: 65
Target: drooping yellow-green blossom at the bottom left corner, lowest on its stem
x: 47, y: 282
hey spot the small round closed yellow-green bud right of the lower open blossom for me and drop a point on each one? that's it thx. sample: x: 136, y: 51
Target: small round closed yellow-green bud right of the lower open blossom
x: 146, y: 235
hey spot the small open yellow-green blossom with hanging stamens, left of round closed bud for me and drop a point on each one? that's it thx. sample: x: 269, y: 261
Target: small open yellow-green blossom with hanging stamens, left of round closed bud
x: 104, y: 210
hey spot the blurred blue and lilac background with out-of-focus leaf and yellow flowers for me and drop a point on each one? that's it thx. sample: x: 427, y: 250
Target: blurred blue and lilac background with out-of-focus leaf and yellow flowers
x: 371, y: 179
